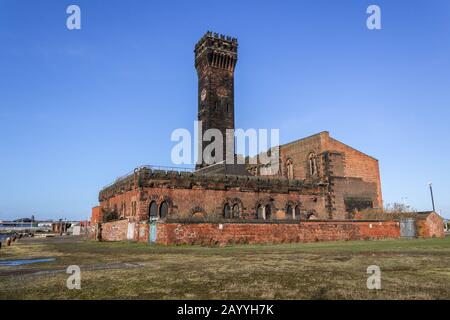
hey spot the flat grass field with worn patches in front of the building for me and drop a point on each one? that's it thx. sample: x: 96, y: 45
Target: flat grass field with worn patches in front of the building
x: 410, y: 269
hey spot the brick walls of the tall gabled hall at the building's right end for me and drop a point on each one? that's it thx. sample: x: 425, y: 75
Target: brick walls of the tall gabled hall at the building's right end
x: 351, y: 173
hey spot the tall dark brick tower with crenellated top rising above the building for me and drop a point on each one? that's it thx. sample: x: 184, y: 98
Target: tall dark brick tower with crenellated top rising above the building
x: 215, y: 60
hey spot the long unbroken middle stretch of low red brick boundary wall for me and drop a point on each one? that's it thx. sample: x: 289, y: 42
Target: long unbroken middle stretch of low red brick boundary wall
x: 249, y: 233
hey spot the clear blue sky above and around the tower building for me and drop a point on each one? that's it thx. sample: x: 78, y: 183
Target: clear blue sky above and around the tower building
x: 79, y: 108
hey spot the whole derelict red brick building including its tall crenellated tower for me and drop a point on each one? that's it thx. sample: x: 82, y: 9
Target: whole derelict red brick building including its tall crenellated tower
x: 318, y: 177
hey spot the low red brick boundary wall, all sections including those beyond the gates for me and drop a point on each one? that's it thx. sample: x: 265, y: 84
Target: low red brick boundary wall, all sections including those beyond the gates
x: 252, y: 233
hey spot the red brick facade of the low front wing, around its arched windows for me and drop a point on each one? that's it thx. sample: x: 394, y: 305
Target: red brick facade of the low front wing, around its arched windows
x: 184, y: 202
